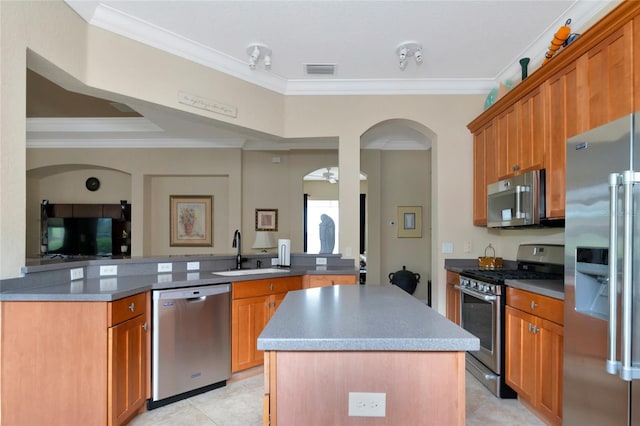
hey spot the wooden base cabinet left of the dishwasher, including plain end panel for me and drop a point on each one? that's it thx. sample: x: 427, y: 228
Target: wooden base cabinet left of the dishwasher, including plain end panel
x: 86, y: 362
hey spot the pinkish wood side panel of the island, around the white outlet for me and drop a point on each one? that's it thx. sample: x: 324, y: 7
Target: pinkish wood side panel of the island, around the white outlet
x: 422, y: 388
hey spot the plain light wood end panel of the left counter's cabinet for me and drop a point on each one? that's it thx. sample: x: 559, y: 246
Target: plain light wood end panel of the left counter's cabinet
x: 54, y: 363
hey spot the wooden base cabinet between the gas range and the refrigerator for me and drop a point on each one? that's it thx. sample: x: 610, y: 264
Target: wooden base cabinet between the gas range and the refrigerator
x: 534, y: 350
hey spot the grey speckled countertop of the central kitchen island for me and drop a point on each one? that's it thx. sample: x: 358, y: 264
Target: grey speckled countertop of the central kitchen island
x: 360, y: 318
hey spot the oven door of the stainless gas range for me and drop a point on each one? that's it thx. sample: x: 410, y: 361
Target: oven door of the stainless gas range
x: 480, y: 316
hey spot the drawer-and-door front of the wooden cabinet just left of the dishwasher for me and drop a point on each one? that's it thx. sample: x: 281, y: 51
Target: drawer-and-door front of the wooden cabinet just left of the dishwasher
x: 127, y: 385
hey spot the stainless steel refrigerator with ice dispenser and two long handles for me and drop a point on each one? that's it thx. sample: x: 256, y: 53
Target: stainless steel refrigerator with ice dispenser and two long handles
x: 602, y: 276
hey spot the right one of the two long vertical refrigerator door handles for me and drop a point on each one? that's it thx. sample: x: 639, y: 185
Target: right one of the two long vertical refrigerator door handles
x: 627, y: 372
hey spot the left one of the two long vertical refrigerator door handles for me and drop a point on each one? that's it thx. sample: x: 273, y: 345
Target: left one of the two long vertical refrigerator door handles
x: 613, y: 365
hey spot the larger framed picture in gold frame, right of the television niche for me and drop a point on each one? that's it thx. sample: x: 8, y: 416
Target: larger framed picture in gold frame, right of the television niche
x: 191, y: 220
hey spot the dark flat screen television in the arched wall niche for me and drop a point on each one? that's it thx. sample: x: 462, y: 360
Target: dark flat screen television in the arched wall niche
x: 88, y: 236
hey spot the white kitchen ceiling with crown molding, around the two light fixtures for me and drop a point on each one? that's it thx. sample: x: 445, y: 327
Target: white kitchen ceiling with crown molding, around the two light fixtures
x: 468, y: 46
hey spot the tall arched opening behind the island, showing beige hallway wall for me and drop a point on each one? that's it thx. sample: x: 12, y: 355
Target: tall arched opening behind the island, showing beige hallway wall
x: 396, y: 156
